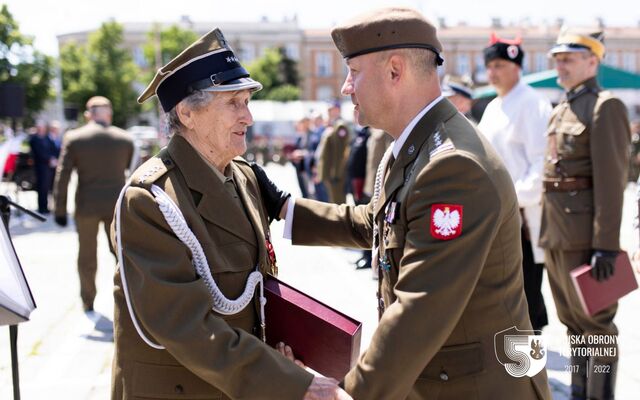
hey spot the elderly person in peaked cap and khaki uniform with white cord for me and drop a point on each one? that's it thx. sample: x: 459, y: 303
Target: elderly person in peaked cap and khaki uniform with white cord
x: 192, y: 234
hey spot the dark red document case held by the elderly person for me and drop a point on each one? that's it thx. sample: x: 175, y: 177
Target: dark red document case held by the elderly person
x: 324, y: 339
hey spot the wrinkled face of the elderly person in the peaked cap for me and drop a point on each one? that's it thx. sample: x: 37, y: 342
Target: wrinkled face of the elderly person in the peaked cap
x: 218, y: 130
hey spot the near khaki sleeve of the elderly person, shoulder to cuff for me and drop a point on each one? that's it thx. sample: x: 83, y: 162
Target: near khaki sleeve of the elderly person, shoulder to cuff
x: 173, y: 306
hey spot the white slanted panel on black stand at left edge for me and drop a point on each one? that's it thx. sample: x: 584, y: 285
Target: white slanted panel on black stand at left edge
x: 16, y: 300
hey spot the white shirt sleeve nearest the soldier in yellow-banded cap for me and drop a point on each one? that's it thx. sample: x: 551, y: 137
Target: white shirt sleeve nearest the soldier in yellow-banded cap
x: 529, y: 186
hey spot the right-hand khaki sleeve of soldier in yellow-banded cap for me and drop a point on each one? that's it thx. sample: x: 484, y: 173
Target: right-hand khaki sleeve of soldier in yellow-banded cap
x: 610, y: 137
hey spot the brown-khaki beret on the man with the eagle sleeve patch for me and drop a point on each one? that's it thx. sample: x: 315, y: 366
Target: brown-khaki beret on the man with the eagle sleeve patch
x: 386, y: 29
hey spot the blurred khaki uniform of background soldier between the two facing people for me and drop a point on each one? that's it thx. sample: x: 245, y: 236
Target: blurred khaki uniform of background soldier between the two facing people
x: 333, y: 152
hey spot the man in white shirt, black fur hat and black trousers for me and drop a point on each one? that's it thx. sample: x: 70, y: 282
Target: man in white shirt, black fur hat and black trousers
x: 515, y: 123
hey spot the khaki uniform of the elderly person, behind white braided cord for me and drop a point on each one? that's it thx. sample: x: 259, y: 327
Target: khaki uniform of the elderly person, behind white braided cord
x: 207, y: 355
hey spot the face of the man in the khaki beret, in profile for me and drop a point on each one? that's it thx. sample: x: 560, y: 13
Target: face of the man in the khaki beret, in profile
x: 364, y: 83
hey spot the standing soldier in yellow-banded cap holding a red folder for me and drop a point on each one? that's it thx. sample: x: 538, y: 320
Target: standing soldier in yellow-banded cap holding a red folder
x: 584, y: 180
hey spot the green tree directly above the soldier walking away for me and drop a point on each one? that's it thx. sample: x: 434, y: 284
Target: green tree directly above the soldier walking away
x: 102, y: 67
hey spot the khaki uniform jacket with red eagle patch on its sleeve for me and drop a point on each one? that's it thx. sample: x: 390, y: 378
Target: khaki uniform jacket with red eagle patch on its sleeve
x: 441, y: 301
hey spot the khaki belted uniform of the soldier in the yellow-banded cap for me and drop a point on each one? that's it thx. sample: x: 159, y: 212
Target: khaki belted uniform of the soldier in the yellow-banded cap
x: 585, y: 176
